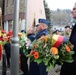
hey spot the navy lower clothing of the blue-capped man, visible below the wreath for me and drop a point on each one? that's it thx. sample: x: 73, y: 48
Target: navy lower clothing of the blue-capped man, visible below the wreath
x: 36, y: 69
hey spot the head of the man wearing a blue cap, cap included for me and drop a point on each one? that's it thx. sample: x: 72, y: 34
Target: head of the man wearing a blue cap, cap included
x: 43, y: 24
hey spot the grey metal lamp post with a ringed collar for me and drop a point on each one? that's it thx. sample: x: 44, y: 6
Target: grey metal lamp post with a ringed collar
x: 15, y: 41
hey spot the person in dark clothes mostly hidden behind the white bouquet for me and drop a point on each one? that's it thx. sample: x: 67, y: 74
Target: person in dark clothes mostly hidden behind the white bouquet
x: 23, y: 60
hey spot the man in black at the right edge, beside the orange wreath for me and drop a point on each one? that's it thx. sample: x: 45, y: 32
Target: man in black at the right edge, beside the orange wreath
x: 70, y: 68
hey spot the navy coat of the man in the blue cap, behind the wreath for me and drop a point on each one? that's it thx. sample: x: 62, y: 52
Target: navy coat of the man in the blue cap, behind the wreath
x: 40, y: 69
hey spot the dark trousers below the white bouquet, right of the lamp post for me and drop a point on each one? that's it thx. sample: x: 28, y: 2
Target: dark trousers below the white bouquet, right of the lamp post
x: 24, y: 65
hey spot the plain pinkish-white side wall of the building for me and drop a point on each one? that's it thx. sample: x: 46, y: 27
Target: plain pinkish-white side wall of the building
x: 35, y: 8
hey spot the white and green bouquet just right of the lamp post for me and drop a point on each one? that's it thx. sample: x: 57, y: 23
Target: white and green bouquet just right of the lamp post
x: 24, y: 43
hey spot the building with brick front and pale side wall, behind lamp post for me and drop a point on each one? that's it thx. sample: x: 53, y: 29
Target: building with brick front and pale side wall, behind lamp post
x: 30, y: 11
